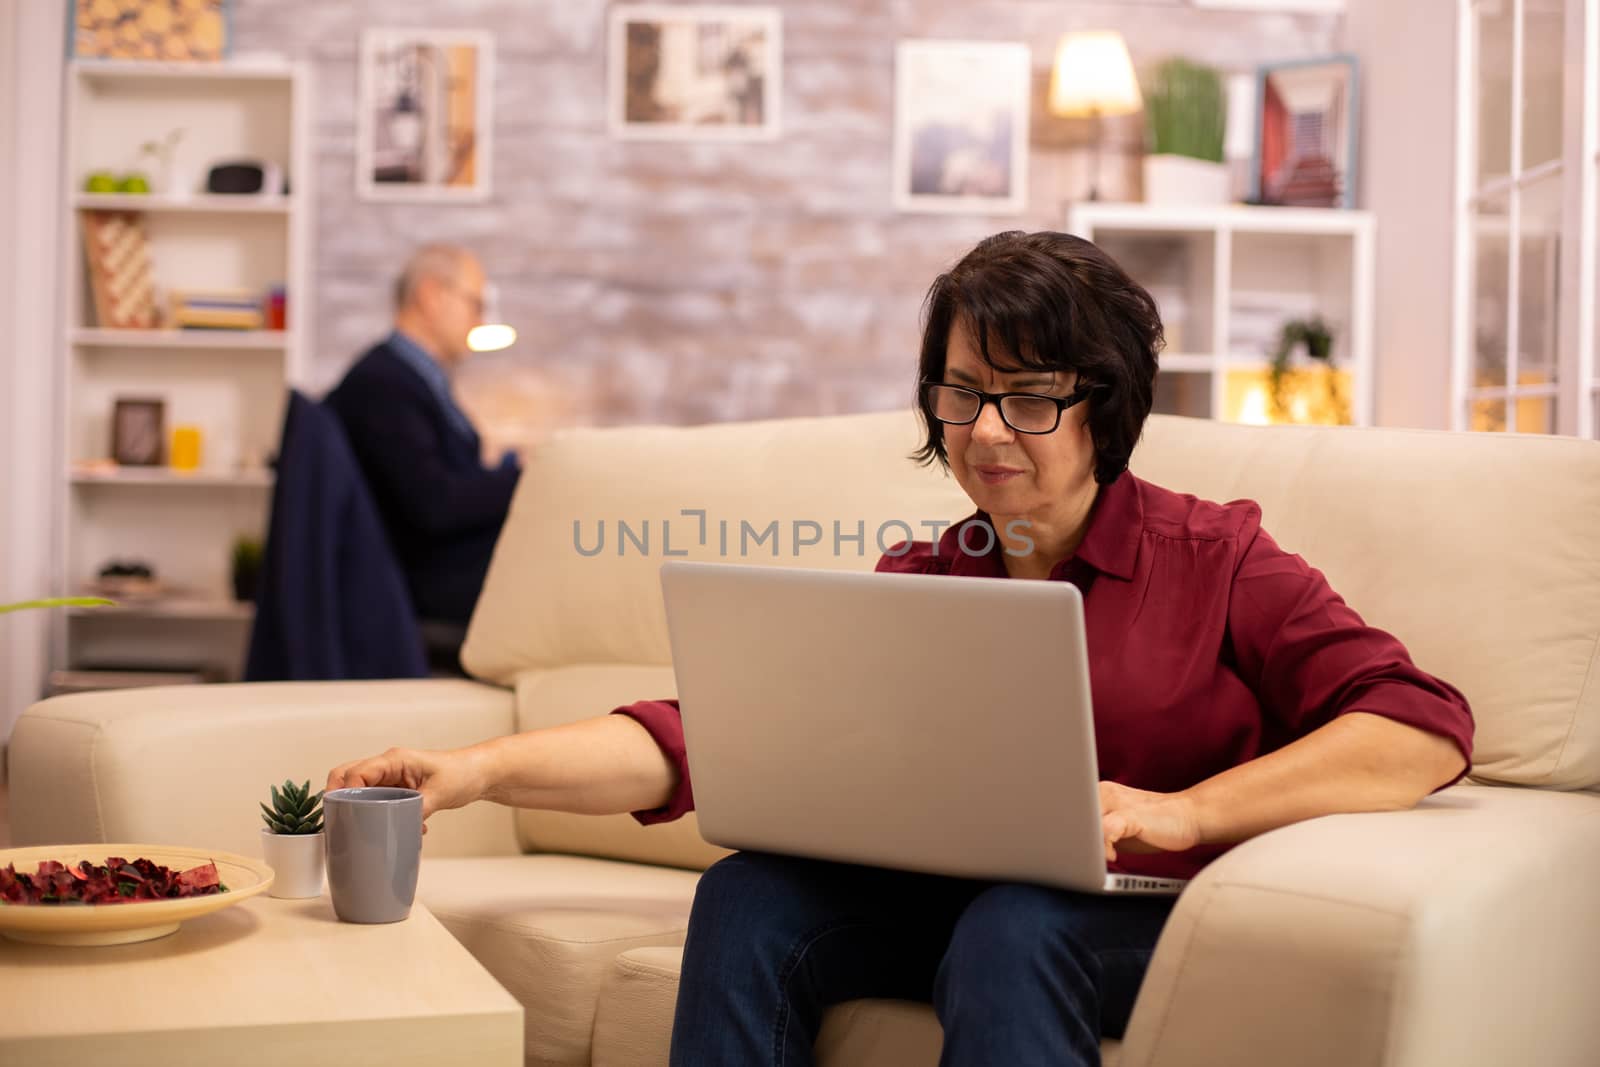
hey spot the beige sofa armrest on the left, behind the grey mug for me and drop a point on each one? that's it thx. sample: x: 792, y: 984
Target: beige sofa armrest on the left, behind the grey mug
x: 190, y: 765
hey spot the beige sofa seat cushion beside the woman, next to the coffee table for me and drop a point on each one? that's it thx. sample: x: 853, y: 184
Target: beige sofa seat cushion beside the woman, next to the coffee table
x: 550, y: 930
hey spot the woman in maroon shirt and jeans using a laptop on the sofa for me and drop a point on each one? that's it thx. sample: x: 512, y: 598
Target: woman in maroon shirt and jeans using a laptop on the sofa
x: 1234, y: 693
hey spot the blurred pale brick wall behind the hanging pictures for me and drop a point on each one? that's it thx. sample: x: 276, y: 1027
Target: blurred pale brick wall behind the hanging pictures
x: 698, y: 282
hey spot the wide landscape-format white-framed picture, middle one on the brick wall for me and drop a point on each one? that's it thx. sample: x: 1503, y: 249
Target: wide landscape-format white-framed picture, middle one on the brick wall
x: 695, y: 73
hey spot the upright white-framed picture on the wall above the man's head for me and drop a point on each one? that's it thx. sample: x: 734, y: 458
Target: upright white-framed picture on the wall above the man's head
x: 425, y: 116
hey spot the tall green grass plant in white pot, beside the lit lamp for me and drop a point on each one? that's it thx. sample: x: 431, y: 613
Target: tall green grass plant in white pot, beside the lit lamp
x: 1186, y: 118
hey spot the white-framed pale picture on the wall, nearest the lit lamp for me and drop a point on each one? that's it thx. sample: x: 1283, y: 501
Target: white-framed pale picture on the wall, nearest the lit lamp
x: 961, y: 127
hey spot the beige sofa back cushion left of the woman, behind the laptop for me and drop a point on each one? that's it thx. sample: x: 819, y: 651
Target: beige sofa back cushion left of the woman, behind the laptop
x: 572, y: 613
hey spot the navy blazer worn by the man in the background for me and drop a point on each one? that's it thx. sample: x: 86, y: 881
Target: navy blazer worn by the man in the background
x: 442, y: 508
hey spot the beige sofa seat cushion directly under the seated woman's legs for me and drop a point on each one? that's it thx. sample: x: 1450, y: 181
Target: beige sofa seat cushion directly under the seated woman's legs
x: 634, y: 1021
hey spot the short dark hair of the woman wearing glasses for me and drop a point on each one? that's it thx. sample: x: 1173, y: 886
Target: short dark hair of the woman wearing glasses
x: 1050, y: 303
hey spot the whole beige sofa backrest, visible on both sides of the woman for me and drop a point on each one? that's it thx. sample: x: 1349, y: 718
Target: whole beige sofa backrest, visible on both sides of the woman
x: 1481, y: 553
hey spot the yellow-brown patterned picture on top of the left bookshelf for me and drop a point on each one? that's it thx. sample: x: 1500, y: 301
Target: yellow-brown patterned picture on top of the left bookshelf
x: 191, y: 31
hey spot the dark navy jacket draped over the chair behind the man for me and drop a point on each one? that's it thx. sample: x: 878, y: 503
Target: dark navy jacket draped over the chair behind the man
x: 332, y: 601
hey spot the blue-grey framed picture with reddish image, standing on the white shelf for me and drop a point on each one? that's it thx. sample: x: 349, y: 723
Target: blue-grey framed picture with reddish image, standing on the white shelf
x: 1306, y: 134
